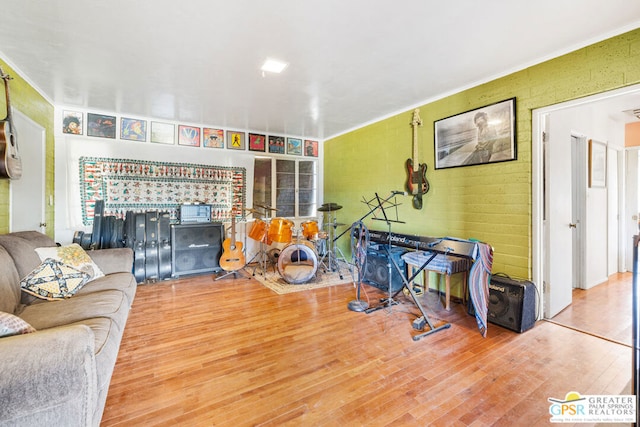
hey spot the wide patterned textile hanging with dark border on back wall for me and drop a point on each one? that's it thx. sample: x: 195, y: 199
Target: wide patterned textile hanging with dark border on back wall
x: 138, y: 185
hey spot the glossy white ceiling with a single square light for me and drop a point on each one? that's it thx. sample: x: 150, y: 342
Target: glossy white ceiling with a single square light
x: 351, y: 61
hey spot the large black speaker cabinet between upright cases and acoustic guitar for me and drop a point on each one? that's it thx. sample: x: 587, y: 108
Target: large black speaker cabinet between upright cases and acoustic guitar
x: 196, y: 248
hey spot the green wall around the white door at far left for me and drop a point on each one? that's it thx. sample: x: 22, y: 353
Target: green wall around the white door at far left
x: 29, y: 102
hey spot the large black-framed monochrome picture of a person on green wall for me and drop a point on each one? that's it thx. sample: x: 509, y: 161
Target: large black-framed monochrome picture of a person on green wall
x: 476, y: 137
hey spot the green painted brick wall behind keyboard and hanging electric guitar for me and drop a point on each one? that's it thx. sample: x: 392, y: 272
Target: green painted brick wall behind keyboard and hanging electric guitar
x: 489, y: 202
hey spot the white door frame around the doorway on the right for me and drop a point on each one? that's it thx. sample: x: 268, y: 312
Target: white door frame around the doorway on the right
x: 537, y: 184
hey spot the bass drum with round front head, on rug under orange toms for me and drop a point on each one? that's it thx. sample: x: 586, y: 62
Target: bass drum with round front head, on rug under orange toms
x: 298, y: 262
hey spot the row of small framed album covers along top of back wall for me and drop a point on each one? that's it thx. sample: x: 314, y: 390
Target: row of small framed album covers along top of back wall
x: 104, y: 126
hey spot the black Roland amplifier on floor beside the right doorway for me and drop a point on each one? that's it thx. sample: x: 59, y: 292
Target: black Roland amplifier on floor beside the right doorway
x: 512, y: 303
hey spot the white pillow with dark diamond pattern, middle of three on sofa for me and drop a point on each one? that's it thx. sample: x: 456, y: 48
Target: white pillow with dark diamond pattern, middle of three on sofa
x: 54, y: 280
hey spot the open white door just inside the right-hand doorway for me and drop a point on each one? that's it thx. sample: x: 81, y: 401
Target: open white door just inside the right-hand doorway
x: 559, y: 227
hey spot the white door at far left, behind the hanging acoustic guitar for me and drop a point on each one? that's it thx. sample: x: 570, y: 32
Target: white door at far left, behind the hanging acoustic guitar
x: 28, y: 192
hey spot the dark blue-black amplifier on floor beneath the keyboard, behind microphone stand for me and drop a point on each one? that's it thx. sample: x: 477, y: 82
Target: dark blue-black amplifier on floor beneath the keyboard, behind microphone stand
x: 377, y: 268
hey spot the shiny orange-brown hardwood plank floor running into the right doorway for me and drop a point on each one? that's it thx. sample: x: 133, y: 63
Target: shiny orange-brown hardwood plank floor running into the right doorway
x: 199, y: 352
